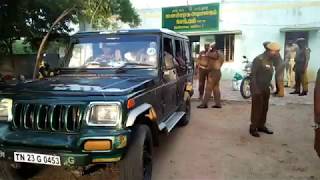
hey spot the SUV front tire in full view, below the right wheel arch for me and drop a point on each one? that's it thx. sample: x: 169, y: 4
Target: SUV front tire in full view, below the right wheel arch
x: 137, y: 163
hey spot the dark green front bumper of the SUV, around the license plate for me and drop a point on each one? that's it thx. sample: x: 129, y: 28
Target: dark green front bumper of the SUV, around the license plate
x: 68, y: 147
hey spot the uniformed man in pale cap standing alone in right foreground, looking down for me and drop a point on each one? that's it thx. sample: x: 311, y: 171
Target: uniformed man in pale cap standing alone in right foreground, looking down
x: 261, y: 76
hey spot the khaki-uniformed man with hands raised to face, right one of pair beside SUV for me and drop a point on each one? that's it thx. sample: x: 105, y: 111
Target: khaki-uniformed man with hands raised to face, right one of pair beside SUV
x: 214, y: 66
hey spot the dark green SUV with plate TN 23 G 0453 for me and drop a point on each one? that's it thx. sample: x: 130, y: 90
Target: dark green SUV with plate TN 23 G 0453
x: 108, y: 103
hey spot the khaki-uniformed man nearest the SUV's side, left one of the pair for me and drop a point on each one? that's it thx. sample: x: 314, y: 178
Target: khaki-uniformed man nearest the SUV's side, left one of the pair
x: 202, y: 64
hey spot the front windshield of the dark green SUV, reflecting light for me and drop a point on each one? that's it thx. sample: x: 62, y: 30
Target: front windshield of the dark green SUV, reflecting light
x: 114, y: 52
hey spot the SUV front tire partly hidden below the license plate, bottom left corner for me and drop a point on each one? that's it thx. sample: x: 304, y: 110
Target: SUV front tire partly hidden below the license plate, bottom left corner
x: 24, y: 171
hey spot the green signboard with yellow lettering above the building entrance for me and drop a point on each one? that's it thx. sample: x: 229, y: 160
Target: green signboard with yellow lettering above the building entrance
x: 203, y: 17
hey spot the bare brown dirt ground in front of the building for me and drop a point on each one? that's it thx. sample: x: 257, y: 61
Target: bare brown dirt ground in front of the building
x: 216, y: 145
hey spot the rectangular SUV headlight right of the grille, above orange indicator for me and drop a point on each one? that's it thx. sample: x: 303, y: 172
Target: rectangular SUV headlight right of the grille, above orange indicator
x: 104, y: 114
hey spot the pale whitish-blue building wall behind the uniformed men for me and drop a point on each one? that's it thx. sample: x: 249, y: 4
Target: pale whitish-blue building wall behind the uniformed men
x: 259, y: 21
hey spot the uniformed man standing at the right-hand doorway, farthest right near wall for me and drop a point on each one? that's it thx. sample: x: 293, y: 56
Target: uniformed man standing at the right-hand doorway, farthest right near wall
x: 301, y: 66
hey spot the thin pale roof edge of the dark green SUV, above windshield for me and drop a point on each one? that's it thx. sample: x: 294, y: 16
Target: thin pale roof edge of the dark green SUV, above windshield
x: 132, y: 31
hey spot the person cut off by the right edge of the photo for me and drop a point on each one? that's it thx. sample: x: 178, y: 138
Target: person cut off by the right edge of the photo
x: 317, y: 114
